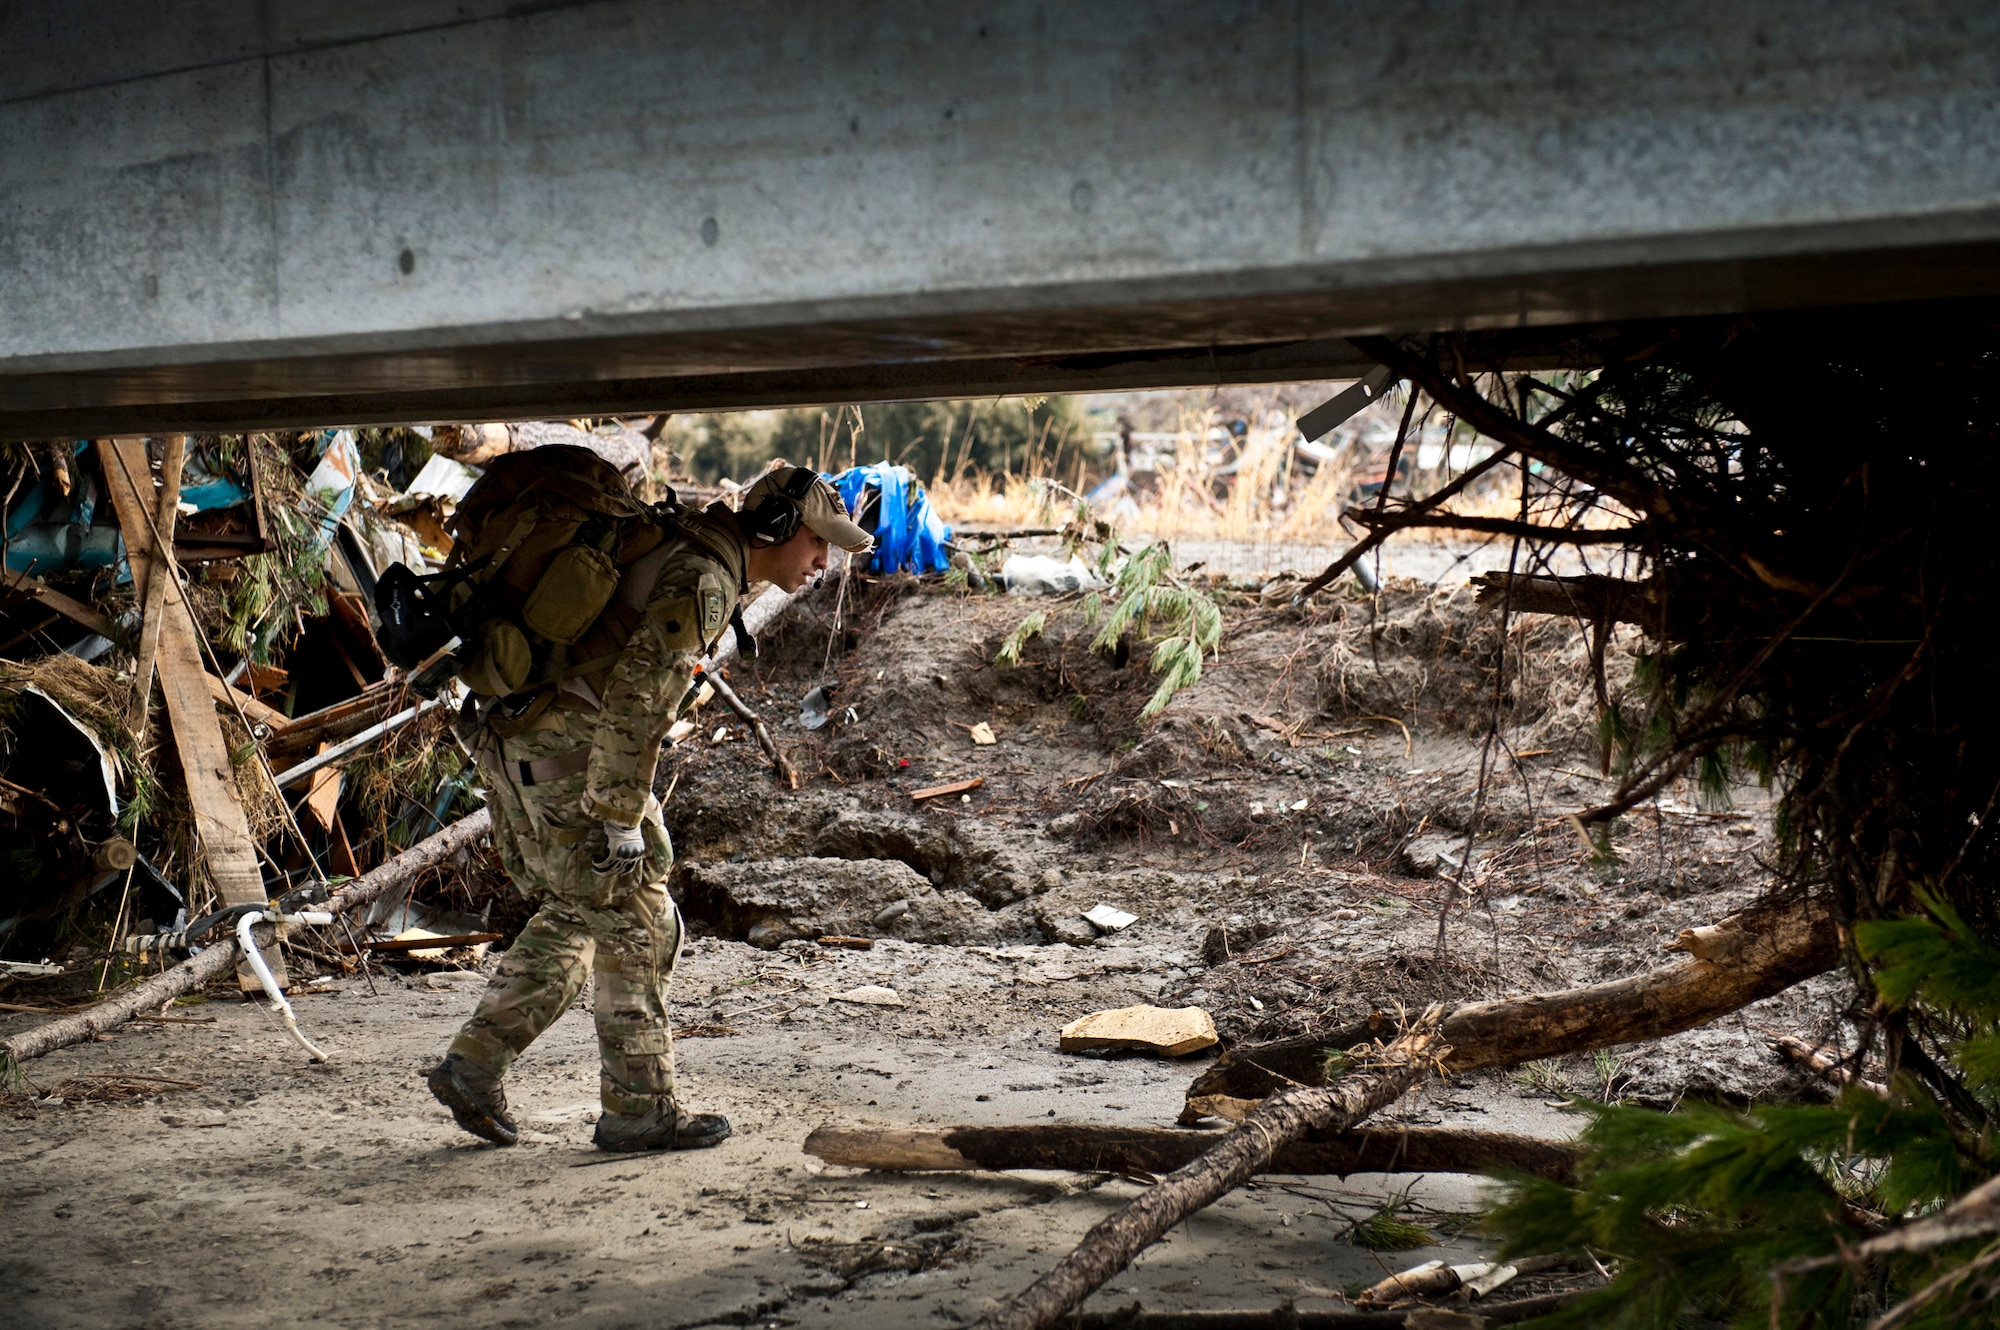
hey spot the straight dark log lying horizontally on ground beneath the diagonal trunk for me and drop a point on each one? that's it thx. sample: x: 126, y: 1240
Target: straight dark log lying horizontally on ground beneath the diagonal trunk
x: 1165, y: 1149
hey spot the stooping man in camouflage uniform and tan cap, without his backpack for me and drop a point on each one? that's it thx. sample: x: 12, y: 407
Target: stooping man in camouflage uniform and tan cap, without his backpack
x: 581, y: 833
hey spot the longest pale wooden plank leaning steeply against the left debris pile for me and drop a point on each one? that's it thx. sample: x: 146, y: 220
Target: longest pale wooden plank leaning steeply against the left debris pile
x: 221, y: 827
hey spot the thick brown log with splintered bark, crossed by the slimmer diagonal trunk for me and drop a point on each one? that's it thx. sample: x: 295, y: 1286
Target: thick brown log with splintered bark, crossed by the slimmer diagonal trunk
x: 1729, y: 965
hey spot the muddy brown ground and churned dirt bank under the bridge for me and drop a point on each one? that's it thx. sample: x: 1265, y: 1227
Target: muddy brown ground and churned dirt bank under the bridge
x: 1279, y: 833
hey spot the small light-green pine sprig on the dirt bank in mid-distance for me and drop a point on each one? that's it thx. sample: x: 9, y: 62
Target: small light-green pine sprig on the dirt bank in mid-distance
x: 1149, y: 601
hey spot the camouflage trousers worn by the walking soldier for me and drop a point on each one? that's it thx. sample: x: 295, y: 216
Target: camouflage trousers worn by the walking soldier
x: 625, y: 927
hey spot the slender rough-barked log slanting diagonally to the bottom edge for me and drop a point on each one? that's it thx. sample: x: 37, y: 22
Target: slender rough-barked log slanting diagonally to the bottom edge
x: 1233, y: 1161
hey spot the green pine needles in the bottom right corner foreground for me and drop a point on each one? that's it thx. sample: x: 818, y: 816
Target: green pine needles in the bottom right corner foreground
x: 1749, y: 1215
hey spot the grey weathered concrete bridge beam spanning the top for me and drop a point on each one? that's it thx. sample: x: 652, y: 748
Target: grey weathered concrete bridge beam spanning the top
x: 281, y: 211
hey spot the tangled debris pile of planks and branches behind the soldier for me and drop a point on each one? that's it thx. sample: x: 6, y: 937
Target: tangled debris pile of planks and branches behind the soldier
x: 231, y: 731
